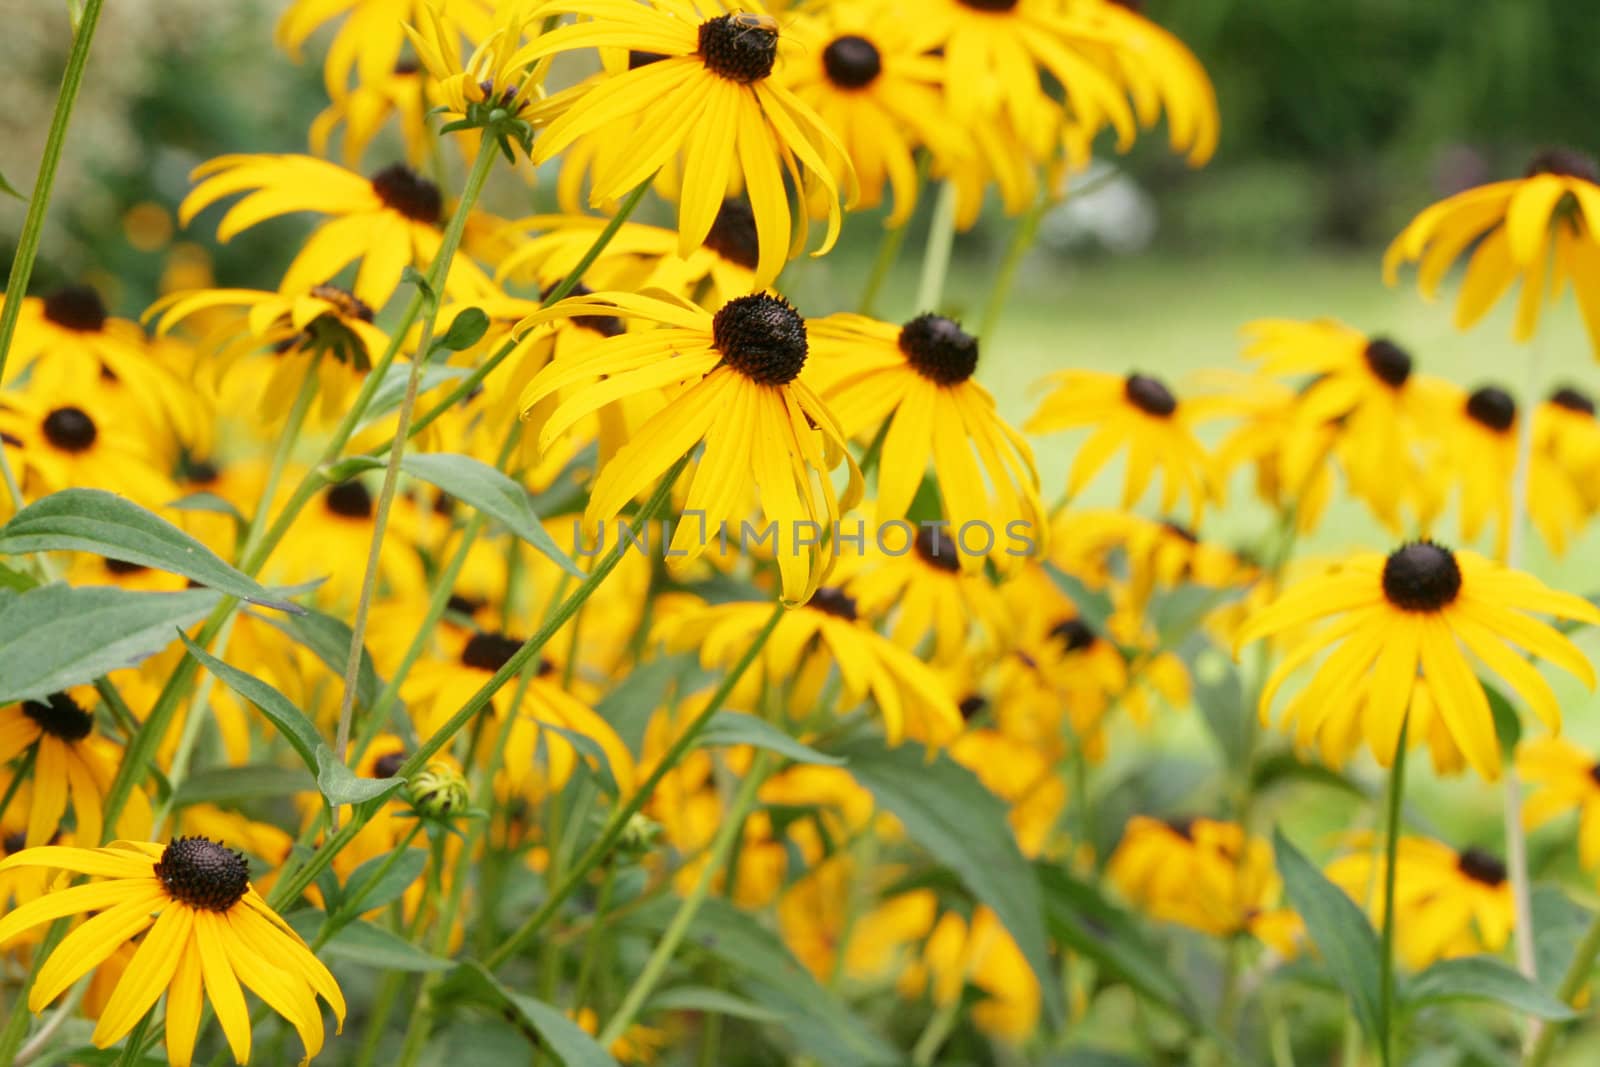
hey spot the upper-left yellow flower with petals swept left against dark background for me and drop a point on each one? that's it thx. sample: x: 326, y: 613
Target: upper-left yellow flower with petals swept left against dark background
x: 388, y: 223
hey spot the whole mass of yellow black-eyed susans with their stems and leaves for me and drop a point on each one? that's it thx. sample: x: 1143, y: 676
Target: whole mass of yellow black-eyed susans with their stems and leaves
x: 543, y: 578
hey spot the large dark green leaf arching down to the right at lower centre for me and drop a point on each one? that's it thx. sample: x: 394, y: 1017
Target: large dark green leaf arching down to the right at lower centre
x: 964, y: 826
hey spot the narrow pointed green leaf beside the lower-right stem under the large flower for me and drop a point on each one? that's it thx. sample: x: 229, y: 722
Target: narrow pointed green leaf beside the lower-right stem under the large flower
x: 1338, y: 929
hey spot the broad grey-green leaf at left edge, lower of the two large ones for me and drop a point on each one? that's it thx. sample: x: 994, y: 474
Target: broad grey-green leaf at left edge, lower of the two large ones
x: 57, y: 637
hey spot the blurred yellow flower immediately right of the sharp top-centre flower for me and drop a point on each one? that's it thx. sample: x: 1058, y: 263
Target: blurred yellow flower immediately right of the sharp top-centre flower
x: 879, y: 94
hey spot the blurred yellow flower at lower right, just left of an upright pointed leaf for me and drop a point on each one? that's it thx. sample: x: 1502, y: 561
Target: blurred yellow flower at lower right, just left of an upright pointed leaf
x: 1204, y: 874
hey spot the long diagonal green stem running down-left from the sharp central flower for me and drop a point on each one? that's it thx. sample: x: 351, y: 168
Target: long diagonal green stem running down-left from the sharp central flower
x: 289, y: 889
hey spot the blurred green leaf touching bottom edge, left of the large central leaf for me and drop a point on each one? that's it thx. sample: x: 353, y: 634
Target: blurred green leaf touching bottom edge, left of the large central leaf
x: 766, y: 972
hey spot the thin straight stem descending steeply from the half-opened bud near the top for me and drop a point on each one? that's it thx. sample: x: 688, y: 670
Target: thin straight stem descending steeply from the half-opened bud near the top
x: 386, y: 495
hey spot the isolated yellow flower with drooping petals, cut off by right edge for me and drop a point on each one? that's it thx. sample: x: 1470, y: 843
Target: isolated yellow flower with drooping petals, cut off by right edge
x: 1542, y: 231
